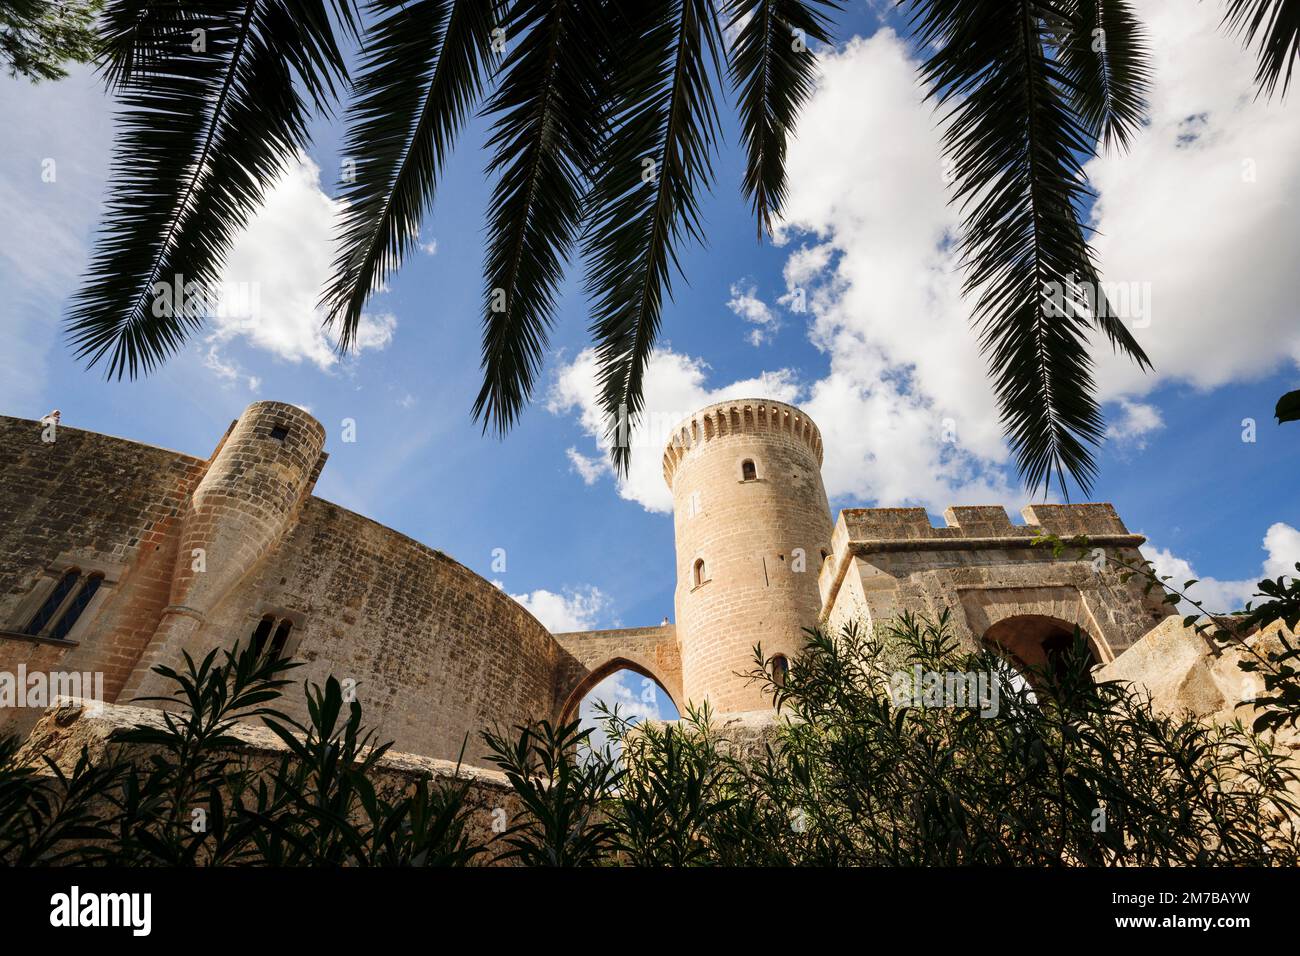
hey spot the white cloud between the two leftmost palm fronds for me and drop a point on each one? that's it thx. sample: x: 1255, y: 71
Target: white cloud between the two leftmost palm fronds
x: 276, y: 271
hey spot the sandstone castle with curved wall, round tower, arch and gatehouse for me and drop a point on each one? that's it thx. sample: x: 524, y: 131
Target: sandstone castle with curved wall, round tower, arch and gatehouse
x: 116, y: 557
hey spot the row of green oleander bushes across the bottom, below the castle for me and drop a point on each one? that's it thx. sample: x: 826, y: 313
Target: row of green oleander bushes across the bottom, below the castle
x: 1056, y: 771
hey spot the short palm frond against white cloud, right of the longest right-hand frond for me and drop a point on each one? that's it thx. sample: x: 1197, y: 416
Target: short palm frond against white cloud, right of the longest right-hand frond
x: 1106, y: 57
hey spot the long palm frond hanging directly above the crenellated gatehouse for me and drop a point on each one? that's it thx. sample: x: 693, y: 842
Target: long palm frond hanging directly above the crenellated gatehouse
x: 1017, y: 146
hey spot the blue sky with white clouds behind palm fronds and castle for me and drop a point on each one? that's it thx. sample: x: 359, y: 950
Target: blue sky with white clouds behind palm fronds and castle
x: 1201, y: 219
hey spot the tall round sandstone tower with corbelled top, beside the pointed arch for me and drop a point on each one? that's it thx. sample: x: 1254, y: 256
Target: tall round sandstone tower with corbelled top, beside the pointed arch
x: 752, y: 526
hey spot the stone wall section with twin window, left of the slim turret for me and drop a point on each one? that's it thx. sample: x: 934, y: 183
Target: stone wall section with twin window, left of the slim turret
x: 99, y: 504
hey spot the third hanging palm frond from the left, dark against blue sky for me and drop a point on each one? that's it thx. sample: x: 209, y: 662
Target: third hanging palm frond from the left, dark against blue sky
x: 549, y: 119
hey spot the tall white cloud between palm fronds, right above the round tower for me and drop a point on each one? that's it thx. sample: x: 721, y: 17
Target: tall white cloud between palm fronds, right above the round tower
x: 883, y: 282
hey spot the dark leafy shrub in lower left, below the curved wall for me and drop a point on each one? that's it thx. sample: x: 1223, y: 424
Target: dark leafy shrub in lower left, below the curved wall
x: 192, y: 802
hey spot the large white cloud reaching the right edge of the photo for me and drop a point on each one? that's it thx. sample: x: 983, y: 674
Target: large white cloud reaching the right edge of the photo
x: 1203, y: 210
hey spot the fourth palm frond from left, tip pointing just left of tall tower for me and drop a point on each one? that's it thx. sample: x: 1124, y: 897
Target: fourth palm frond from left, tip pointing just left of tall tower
x: 645, y: 193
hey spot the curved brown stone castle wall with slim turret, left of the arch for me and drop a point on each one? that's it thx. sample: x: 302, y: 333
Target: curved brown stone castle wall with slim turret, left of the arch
x: 434, y: 652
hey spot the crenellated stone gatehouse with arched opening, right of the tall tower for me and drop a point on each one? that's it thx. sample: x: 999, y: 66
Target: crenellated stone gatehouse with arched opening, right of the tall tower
x: 989, y: 572
